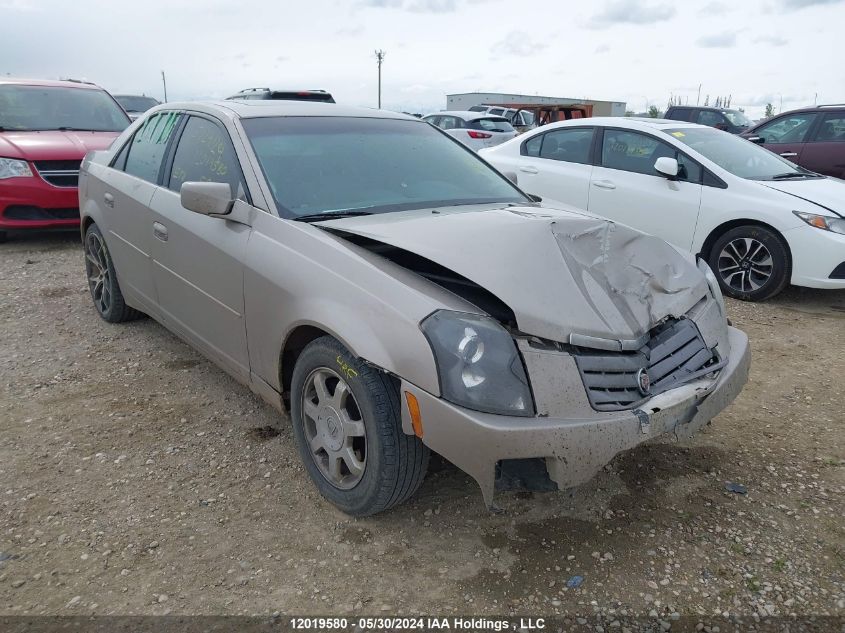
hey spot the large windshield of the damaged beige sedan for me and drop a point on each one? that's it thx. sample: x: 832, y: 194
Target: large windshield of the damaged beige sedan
x: 324, y: 164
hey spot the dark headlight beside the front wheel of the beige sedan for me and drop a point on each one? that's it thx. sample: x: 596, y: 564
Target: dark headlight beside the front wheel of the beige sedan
x: 479, y: 364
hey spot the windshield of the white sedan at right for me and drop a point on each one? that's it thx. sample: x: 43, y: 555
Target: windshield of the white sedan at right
x: 740, y: 157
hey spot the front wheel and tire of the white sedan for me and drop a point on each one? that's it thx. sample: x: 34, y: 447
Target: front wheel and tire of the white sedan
x: 752, y: 263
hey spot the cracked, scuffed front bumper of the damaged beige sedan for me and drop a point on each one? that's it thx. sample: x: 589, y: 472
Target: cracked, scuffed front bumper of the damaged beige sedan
x: 574, y: 449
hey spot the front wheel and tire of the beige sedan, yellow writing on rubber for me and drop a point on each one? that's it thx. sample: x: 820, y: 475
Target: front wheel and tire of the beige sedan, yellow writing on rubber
x: 386, y: 465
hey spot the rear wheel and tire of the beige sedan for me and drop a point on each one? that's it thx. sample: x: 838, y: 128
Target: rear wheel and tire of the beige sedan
x: 102, y: 280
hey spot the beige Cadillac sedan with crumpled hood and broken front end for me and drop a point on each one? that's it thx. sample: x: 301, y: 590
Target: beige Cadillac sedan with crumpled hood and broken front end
x: 396, y: 295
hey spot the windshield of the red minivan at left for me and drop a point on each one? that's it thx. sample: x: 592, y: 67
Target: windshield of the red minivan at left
x: 35, y: 108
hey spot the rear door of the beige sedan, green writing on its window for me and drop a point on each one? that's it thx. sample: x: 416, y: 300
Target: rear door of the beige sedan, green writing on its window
x: 127, y: 193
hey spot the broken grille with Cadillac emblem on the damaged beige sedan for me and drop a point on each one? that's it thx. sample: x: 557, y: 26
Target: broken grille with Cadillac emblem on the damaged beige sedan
x: 674, y: 354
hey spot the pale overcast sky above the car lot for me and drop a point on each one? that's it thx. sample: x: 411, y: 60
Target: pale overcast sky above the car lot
x: 637, y: 51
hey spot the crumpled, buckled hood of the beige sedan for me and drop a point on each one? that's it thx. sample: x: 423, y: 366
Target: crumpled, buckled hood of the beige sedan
x: 561, y: 273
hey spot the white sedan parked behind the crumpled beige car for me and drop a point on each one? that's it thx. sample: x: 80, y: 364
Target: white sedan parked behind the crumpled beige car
x: 760, y: 221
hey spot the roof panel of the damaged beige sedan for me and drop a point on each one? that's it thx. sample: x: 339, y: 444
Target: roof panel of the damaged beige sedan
x: 269, y: 108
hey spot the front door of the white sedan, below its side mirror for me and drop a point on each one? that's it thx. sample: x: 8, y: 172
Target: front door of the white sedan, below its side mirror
x: 626, y: 188
